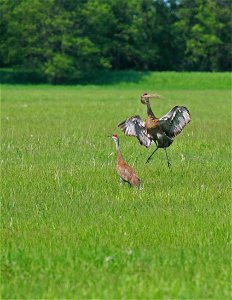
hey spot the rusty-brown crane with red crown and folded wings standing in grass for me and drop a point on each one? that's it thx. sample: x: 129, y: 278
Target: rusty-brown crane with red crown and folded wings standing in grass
x: 125, y: 172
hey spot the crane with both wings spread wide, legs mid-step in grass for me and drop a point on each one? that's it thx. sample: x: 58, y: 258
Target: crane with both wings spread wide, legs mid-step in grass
x: 160, y: 131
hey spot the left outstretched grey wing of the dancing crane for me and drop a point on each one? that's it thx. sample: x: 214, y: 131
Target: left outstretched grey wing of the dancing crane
x: 135, y: 126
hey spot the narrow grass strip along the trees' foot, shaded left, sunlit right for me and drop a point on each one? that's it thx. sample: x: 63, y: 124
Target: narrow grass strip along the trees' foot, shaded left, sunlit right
x: 150, y: 80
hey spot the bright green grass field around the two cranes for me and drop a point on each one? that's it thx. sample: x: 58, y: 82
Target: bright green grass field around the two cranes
x: 69, y: 230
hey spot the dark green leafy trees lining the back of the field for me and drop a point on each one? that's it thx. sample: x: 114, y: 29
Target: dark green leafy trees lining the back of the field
x: 66, y: 39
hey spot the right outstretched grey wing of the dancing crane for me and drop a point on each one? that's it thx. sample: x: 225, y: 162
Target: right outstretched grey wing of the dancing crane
x: 175, y: 120
